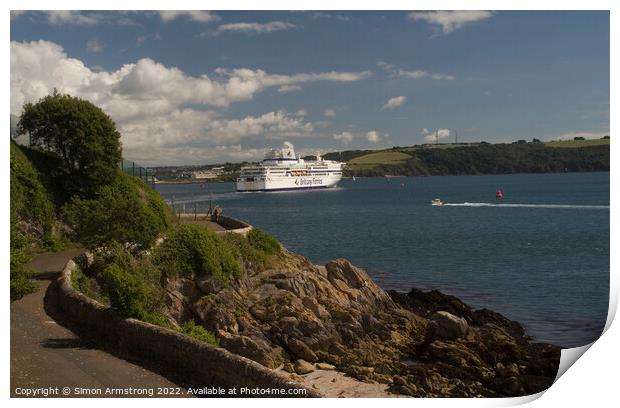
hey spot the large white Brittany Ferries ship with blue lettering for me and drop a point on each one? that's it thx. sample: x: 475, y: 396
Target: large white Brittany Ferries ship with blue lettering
x: 282, y: 170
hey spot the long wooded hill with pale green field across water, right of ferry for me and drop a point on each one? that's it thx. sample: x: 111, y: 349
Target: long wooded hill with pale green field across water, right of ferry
x: 478, y: 158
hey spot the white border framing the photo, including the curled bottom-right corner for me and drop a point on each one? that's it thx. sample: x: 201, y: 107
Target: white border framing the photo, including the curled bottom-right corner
x: 590, y: 382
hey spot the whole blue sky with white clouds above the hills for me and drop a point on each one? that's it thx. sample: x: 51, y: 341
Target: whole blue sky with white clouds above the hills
x: 204, y: 87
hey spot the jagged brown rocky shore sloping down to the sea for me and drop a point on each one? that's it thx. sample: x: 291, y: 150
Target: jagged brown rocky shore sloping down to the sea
x: 333, y: 328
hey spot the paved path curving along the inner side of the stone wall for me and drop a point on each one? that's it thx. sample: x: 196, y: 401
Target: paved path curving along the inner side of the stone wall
x: 45, y: 354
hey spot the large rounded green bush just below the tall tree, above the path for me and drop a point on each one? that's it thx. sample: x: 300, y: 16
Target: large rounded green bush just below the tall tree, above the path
x: 127, y: 212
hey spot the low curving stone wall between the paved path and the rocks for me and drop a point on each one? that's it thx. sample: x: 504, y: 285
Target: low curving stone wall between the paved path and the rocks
x: 184, y: 360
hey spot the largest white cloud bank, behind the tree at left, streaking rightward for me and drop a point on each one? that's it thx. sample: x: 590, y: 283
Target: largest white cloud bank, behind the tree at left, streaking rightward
x: 148, y: 101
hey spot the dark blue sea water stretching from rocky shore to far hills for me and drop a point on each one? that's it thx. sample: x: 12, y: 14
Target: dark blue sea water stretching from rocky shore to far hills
x: 545, y: 265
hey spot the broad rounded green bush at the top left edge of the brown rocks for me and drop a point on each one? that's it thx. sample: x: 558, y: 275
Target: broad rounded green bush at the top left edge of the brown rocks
x: 193, y: 251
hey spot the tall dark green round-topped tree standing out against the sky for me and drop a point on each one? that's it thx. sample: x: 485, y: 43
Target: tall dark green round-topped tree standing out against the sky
x: 80, y: 133
